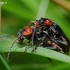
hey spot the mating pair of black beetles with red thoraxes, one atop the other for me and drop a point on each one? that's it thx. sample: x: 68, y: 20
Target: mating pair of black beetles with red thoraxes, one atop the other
x: 45, y: 33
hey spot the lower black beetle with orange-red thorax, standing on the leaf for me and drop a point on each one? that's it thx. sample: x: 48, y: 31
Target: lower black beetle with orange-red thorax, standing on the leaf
x: 37, y: 36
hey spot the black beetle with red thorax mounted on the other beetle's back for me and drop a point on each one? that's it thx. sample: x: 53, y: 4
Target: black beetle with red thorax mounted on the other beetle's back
x: 55, y: 32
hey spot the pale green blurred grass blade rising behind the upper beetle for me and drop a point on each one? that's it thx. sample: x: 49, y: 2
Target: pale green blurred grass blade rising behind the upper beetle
x: 42, y: 8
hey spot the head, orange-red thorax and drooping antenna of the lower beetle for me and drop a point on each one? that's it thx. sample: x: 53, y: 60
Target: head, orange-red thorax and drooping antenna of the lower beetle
x: 24, y: 32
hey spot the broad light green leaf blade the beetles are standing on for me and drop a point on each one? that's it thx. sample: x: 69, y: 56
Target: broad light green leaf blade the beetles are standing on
x: 6, y: 42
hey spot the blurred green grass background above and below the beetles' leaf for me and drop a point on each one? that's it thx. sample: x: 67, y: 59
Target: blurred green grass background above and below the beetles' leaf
x: 16, y: 14
